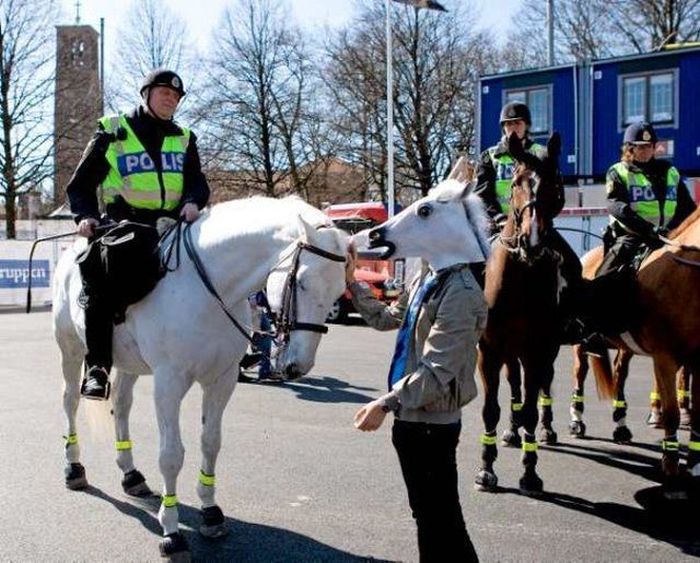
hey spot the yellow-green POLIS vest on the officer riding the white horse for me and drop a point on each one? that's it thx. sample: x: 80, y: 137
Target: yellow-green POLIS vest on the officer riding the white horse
x: 133, y: 174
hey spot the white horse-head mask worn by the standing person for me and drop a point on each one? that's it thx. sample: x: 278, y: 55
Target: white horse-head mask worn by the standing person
x: 446, y: 227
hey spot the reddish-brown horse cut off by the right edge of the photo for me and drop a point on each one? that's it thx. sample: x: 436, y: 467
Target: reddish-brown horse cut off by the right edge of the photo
x: 668, y: 330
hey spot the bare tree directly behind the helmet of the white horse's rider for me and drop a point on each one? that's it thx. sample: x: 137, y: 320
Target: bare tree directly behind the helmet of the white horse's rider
x: 152, y: 37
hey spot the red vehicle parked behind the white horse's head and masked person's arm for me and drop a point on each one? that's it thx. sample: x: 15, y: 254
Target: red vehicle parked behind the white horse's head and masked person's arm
x: 382, y: 276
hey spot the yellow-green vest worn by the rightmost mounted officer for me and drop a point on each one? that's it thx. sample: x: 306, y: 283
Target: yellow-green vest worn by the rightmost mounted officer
x: 642, y: 198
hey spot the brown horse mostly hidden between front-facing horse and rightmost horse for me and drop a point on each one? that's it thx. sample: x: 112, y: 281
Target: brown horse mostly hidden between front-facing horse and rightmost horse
x: 577, y: 428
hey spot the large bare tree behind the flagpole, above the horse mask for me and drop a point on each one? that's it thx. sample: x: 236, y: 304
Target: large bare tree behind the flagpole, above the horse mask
x: 437, y: 61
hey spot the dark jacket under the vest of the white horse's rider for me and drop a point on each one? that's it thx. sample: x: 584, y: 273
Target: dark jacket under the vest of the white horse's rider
x: 93, y: 169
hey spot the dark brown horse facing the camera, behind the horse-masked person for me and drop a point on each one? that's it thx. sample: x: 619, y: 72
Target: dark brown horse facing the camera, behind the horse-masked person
x: 522, y: 289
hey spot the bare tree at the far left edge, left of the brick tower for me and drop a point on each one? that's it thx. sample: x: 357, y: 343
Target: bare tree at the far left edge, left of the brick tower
x: 26, y: 90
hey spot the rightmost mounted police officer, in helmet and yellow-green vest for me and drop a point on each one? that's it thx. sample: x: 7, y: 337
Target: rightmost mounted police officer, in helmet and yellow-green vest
x: 646, y: 198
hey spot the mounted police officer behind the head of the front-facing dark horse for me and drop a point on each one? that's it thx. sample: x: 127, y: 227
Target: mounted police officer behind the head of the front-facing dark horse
x: 494, y: 177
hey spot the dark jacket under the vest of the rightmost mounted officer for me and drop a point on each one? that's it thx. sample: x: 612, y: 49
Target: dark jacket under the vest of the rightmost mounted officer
x: 619, y: 202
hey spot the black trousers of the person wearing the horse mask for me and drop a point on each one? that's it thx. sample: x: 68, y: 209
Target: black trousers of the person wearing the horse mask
x: 427, y: 454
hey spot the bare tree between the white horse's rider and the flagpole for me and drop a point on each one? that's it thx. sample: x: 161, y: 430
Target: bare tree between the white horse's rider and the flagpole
x: 264, y: 121
